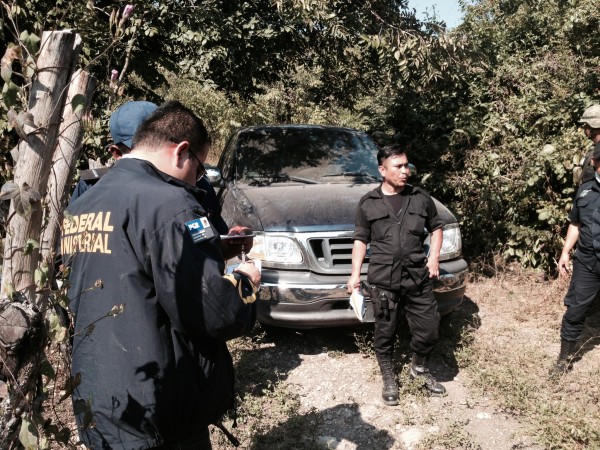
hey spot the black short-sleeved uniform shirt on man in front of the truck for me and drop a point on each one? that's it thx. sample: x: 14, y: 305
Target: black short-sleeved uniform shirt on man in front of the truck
x: 396, y: 240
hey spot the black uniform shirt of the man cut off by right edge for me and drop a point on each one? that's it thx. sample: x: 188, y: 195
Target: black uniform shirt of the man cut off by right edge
x: 586, y: 214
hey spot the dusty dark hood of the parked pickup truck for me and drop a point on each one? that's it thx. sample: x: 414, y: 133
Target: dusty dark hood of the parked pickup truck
x: 303, y: 208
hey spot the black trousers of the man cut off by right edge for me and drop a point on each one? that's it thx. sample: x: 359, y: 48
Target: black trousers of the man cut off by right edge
x: 585, y: 284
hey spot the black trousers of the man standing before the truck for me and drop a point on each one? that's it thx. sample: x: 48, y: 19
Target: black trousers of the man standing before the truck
x: 421, y: 314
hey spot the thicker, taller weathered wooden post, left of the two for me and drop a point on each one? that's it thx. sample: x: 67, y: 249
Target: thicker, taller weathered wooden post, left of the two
x: 46, y: 102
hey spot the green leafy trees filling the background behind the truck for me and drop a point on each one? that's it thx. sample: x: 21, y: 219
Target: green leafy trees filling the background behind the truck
x: 488, y: 108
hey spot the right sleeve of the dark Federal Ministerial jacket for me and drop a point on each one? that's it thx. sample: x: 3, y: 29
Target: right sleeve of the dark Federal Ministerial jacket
x: 191, y: 287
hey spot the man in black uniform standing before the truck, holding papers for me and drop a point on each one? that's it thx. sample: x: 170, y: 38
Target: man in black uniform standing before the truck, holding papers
x: 393, y: 218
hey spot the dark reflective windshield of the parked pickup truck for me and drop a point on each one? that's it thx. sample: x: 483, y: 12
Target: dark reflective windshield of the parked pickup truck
x: 305, y: 155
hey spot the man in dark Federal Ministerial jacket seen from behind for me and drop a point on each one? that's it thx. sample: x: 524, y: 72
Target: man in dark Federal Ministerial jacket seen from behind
x: 152, y: 308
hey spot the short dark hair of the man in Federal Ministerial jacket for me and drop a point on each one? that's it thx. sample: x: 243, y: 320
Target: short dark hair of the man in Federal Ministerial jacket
x: 172, y: 122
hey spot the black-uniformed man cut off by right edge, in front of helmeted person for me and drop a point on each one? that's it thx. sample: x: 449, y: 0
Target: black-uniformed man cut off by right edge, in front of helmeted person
x: 584, y: 230
